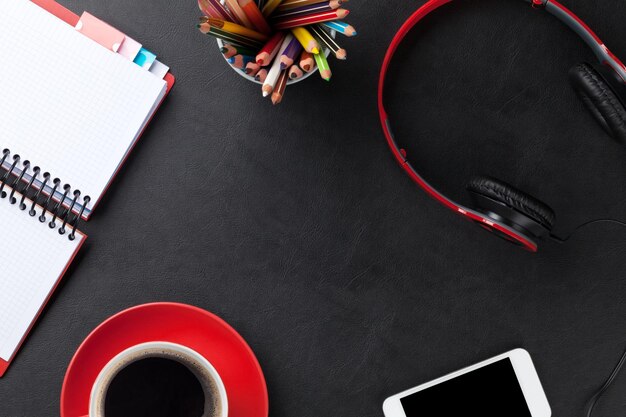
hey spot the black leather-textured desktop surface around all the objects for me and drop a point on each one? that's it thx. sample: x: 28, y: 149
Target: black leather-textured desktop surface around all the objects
x: 296, y: 226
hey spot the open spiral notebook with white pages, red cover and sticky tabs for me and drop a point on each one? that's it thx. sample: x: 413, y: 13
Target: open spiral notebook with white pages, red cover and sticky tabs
x: 72, y: 107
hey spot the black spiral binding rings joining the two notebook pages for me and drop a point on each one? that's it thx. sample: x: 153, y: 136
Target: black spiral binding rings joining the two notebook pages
x: 34, y: 193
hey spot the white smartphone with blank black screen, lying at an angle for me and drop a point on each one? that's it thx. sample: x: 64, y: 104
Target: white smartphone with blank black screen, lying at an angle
x: 505, y: 385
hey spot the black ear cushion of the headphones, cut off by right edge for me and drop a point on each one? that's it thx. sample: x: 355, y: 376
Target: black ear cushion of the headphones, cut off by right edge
x: 603, y: 95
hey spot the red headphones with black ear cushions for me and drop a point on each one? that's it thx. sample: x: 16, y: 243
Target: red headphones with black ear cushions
x: 499, y: 207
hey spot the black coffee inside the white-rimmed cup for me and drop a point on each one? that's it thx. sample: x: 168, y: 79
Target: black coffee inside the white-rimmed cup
x: 155, y: 387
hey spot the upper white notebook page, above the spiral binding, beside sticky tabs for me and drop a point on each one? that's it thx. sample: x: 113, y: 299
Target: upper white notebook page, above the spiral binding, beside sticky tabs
x: 68, y: 105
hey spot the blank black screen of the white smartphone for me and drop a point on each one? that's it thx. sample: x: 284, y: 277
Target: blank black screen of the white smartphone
x: 490, y: 391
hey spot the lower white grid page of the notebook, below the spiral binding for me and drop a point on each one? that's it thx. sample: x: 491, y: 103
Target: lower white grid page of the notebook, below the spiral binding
x: 33, y: 257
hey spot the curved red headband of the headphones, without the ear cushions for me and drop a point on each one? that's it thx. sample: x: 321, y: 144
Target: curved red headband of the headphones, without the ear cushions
x: 551, y: 6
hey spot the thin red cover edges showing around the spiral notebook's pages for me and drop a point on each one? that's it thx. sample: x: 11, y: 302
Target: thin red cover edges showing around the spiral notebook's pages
x: 71, y: 19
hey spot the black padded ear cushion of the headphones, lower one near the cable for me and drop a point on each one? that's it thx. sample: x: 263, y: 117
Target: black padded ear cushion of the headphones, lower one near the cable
x: 505, y: 203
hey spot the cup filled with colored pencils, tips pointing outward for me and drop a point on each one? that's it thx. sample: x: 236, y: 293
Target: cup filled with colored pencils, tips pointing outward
x: 276, y: 43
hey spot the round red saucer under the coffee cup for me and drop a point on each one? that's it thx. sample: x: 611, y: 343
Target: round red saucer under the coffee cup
x: 190, y: 326
